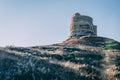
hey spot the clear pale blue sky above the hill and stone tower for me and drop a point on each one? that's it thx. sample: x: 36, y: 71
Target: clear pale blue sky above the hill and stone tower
x: 42, y: 22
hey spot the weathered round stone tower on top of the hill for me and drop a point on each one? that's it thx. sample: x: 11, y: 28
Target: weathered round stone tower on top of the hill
x: 82, y: 26
